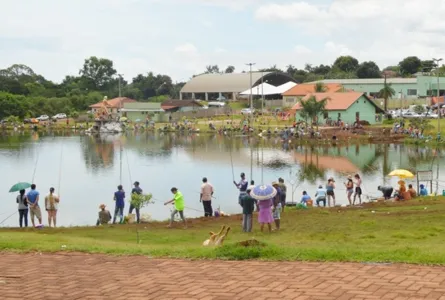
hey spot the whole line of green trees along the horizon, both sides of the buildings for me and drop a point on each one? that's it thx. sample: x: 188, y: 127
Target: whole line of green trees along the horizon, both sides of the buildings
x: 25, y: 93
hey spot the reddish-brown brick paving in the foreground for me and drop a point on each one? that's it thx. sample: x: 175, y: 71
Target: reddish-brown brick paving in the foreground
x: 83, y: 276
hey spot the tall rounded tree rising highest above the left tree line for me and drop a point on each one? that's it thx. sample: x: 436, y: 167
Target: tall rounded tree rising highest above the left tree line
x: 97, y: 74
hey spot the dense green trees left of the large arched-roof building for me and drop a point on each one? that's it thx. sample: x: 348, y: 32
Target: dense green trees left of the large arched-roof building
x: 25, y: 94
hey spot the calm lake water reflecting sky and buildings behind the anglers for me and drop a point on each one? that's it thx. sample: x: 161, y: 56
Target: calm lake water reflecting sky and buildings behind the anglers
x: 91, y: 167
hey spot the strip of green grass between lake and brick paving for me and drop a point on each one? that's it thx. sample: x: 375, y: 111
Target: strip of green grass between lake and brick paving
x: 409, y: 233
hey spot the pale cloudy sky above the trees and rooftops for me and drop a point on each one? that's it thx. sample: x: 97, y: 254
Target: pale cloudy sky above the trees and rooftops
x: 181, y: 37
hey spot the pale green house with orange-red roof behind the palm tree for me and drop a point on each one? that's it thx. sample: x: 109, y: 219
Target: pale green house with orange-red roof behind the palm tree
x: 343, y: 106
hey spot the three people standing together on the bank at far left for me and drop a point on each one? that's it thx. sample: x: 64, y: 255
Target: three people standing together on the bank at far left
x: 29, y: 203
